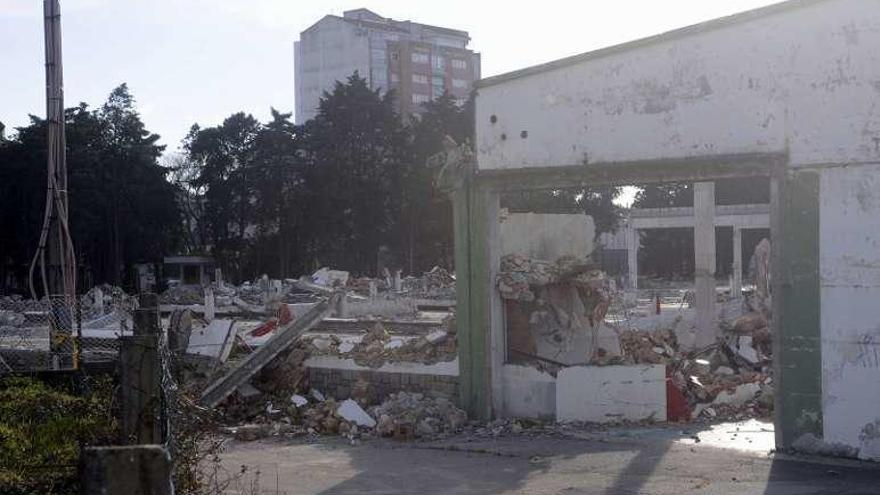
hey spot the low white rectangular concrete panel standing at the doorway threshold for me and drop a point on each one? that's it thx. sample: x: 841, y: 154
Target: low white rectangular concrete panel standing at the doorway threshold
x: 605, y: 394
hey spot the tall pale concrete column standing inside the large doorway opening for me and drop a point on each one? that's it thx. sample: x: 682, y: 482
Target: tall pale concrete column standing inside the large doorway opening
x: 704, y: 262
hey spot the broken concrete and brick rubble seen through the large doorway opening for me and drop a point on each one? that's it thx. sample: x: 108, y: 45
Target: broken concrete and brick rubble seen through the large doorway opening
x: 730, y: 379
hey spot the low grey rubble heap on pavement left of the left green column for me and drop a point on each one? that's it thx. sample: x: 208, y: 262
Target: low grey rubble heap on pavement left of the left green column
x: 408, y: 415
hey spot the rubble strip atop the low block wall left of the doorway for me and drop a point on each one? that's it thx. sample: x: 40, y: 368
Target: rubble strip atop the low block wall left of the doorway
x: 378, y: 347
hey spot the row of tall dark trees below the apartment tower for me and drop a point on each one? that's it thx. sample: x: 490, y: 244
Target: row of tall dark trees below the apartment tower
x: 273, y: 197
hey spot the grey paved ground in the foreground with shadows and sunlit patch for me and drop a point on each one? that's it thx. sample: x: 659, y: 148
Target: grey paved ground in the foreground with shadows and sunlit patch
x: 618, y: 461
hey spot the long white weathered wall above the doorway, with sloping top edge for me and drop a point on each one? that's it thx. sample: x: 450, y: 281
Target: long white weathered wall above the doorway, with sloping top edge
x: 803, y: 80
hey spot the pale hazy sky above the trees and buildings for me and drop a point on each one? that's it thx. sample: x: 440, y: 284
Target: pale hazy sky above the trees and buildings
x: 189, y: 61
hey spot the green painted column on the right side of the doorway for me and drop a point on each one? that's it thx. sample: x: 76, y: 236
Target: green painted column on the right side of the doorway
x: 796, y: 298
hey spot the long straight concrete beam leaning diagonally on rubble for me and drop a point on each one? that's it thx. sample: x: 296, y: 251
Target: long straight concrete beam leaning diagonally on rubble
x: 281, y: 339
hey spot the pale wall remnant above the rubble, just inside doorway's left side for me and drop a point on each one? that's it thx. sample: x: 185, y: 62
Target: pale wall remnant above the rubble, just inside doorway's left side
x: 547, y: 236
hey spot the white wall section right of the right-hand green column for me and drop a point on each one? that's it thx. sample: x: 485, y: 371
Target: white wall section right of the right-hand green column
x: 849, y: 260
